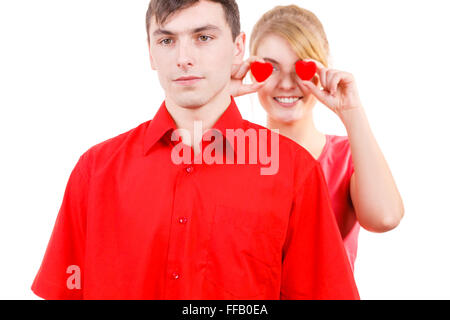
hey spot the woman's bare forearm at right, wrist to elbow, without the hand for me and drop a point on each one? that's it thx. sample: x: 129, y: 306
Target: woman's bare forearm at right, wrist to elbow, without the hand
x: 377, y: 201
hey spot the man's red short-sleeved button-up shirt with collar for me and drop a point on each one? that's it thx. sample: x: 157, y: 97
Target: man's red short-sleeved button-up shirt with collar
x: 135, y: 225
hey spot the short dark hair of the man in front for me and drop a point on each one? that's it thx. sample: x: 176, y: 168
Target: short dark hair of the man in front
x: 163, y: 9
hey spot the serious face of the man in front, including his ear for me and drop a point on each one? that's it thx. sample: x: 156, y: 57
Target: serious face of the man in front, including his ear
x: 193, y: 53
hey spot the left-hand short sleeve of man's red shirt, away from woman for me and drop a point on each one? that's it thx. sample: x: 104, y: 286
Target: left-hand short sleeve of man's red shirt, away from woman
x: 60, y: 274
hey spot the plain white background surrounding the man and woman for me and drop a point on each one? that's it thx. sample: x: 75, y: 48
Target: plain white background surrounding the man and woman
x: 75, y: 73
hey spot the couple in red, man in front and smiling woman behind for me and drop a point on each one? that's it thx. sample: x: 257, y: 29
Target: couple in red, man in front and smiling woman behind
x: 135, y: 225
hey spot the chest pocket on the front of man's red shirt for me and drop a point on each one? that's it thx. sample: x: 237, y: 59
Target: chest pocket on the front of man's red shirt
x: 244, y: 252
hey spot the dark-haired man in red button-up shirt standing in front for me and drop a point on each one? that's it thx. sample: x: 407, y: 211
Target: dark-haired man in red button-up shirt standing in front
x: 136, y: 223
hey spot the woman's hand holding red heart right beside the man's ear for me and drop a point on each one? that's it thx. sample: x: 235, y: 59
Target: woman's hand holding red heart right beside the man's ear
x: 238, y: 73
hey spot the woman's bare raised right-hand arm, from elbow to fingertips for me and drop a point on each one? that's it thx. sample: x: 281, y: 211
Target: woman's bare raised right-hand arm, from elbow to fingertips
x: 377, y: 202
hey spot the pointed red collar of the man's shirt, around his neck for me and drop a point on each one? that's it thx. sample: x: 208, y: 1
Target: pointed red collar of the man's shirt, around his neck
x: 162, y: 122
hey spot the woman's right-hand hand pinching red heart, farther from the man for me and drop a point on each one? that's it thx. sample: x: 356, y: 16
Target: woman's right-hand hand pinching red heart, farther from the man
x: 339, y: 93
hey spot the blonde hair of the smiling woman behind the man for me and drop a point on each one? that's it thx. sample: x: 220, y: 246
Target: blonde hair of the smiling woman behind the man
x: 300, y: 27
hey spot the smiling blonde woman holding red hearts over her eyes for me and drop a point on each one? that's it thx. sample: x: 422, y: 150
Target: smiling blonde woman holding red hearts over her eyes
x: 362, y: 189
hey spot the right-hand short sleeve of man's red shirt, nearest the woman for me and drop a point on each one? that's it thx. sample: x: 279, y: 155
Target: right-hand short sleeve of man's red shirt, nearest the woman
x: 315, y: 264
